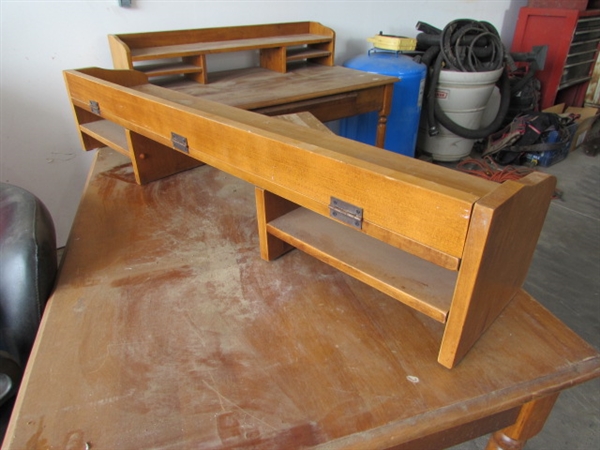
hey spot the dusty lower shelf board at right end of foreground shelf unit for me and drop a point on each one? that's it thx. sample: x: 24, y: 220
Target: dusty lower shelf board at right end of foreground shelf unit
x: 411, y: 280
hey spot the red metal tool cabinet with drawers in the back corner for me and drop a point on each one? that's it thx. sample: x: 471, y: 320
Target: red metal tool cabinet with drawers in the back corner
x: 572, y: 38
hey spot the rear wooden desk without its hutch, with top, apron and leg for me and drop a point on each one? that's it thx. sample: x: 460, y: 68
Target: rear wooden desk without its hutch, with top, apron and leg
x: 328, y: 92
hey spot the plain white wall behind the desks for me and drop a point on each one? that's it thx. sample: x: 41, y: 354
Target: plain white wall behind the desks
x: 39, y: 146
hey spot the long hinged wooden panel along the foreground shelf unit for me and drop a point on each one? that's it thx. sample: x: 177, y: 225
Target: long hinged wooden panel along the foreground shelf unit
x: 306, y: 171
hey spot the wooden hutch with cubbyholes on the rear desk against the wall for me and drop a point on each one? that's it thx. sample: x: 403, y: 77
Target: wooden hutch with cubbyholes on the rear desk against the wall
x: 278, y: 45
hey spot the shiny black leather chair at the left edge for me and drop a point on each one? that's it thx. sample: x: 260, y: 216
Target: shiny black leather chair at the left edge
x: 28, y: 266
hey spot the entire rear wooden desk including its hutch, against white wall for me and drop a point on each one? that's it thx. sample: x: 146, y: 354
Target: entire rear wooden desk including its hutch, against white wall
x: 295, y: 73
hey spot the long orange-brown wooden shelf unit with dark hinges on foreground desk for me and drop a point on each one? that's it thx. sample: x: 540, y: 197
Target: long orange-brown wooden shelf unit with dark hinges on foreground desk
x: 450, y: 245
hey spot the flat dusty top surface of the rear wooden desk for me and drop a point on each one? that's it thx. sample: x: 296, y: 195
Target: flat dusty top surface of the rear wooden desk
x: 256, y: 87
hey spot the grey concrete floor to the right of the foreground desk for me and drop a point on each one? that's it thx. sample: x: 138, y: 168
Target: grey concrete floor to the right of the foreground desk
x: 565, y: 278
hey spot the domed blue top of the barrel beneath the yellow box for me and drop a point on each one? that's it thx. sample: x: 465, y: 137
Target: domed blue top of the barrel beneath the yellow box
x: 387, y: 63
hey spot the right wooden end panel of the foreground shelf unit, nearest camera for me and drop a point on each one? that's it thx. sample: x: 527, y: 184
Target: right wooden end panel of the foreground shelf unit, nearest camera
x: 502, y: 237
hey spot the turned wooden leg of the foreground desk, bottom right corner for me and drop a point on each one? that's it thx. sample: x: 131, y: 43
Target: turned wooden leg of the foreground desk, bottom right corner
x: 530, y: 422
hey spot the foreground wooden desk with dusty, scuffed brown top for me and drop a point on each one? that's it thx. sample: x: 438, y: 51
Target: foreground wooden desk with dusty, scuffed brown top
x: 167, y: 330
